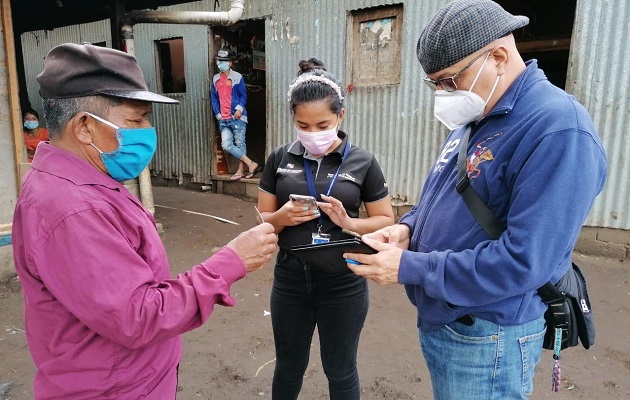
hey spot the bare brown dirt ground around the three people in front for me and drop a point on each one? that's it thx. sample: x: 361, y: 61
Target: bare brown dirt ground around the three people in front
x: 232, y: 356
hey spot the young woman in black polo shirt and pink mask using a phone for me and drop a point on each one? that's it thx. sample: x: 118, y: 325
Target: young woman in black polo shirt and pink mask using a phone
x: 324, y: 164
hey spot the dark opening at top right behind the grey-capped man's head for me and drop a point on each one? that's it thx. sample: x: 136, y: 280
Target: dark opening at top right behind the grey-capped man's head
x: 547, y: 37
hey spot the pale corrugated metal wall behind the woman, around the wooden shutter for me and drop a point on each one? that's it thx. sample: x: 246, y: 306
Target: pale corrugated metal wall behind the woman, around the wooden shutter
x: 394, y: 122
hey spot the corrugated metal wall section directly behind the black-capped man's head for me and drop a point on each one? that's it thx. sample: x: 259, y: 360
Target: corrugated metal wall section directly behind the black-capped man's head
x: 36, y: 44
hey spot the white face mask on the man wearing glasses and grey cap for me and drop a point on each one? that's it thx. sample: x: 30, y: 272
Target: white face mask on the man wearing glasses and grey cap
x: 460, y: 107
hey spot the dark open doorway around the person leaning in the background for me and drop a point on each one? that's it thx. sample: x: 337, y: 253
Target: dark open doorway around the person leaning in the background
x: 247, y: 40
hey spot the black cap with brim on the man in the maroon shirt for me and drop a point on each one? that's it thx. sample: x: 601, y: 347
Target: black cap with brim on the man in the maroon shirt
x: 79, y: 70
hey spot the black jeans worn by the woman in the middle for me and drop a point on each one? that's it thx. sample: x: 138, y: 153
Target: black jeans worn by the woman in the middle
x: 338, y: 304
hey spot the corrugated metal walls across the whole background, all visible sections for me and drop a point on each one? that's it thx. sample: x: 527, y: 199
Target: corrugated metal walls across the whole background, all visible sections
x: 394, y: 122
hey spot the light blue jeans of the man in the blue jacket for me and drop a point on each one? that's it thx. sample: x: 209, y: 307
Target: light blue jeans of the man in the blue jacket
x: 484, y: 361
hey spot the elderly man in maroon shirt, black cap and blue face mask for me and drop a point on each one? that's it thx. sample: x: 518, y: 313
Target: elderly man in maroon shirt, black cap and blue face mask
x: 103, y: 315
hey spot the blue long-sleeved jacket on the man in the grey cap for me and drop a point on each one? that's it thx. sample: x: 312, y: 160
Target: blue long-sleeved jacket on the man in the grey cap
x: 538, y: 163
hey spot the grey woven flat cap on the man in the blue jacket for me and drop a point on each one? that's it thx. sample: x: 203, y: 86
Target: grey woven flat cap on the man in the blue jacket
x: 460, y: 28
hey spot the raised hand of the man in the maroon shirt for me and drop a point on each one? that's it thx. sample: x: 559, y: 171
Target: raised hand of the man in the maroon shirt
x: 255, y: 246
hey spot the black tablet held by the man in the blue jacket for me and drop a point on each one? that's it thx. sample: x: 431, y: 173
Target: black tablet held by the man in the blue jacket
x: 328, y: 257
